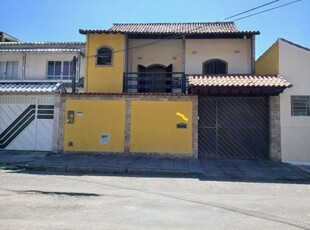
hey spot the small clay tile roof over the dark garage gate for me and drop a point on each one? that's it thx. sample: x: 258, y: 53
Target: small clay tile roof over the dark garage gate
x: 238, y: 80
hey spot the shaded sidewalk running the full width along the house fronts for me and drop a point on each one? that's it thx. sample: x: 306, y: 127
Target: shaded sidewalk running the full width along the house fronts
x: 221, y: 169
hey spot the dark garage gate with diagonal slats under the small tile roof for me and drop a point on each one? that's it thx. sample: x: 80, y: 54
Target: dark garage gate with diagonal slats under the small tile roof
x: 233, y: 127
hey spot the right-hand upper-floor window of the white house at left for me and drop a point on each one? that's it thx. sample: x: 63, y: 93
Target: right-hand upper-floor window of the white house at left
x: 59, y: 70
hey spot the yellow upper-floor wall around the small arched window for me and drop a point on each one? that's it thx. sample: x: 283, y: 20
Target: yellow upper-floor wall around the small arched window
x: 105, y: 79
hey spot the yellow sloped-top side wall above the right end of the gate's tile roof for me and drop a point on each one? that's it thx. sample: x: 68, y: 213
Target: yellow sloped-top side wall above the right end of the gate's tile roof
x: 268, y: 63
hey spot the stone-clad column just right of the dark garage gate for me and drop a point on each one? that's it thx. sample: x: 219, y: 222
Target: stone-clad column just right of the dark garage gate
x: 274, y: 129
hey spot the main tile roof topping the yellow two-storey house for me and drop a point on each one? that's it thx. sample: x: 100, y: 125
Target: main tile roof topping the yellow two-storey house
x: 172, y: 28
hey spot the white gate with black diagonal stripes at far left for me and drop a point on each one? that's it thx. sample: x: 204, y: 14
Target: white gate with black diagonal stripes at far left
x: 26, y: 122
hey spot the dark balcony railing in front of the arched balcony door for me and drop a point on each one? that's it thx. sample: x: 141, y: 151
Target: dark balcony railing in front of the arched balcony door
x: 161, y: 82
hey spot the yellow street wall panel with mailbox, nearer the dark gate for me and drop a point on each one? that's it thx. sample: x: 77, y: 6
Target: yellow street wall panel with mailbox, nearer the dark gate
x: 153, y: 127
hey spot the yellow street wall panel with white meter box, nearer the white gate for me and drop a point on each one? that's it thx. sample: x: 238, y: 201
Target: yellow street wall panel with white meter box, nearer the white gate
x: 91, y: 119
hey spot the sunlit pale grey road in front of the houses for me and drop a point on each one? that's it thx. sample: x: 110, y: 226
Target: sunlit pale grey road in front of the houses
x: 46, y: 201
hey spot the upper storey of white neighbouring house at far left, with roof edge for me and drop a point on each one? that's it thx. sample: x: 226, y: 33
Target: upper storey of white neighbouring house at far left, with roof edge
x: 41, y: 61
